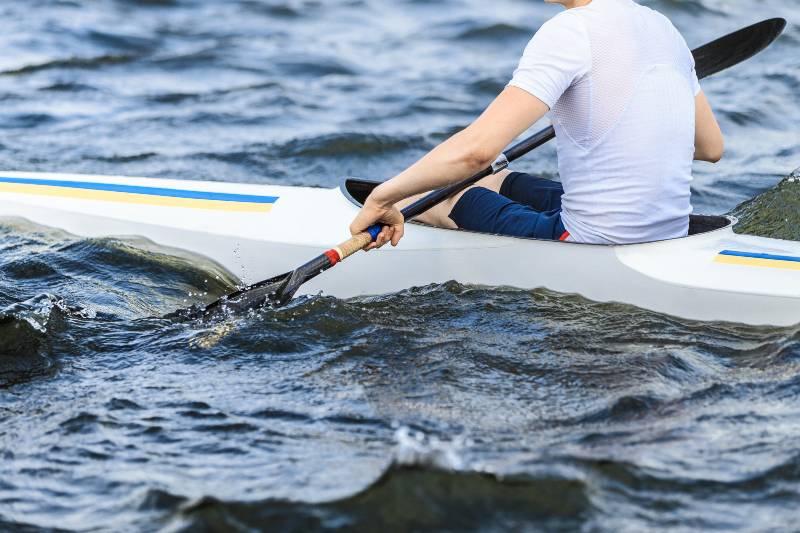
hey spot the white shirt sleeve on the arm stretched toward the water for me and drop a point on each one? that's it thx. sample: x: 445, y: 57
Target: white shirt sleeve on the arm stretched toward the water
x: 556, y: 57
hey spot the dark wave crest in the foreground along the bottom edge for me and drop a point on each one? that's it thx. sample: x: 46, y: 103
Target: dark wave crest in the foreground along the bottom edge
x: 413, y: 498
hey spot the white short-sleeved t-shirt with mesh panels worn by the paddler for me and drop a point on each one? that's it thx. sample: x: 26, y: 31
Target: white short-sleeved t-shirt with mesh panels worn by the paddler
x: 620, y: 83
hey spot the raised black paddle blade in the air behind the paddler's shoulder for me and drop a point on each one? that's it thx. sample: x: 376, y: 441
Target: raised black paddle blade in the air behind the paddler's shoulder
x: 736, y: 47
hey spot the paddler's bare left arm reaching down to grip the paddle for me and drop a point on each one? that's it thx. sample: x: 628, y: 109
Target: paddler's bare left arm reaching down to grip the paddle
x: 459, y: 157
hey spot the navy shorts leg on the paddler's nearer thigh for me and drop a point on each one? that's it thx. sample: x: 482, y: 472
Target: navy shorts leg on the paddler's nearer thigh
x: 486, y: 211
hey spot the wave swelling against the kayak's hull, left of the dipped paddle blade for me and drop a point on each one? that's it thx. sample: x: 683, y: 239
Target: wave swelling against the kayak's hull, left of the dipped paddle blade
x: 114, y: 277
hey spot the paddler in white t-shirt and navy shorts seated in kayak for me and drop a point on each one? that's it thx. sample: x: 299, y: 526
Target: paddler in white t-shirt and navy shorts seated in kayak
x: 619, y: 84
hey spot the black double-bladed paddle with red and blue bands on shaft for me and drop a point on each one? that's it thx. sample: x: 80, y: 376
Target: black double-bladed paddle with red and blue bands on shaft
x: 709, y: 59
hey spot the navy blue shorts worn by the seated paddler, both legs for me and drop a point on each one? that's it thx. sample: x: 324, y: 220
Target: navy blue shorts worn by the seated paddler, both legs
x: 527, y: 206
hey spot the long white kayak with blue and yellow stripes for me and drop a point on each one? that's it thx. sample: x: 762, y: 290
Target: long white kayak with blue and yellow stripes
x: 258, y: 231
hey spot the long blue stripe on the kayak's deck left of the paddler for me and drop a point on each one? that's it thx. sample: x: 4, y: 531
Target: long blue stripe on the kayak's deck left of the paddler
x: 149, y: 191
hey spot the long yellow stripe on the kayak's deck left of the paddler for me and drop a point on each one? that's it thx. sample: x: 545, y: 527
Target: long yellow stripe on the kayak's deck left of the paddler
x: 133, y: 198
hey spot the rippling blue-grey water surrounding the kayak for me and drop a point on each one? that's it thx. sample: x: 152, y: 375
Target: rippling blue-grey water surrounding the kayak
x: 441, y: 407
